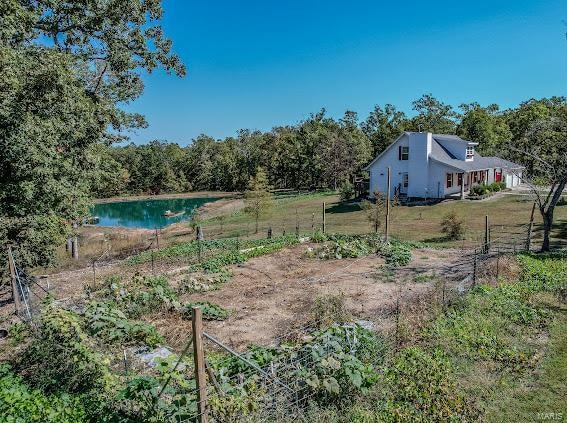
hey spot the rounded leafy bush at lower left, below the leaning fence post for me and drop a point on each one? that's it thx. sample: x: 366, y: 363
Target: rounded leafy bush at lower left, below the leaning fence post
x: 61, y: 357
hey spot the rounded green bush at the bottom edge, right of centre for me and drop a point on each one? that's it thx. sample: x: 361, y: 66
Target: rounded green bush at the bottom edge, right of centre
x: 419, y: 386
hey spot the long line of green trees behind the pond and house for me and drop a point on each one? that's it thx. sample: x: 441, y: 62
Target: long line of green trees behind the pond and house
x: 323, y: 152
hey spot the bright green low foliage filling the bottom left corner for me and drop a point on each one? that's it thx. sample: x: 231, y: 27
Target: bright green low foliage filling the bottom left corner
x: 19, y: 403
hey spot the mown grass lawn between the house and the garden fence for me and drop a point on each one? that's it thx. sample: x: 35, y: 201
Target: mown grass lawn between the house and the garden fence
x: 417, y: 223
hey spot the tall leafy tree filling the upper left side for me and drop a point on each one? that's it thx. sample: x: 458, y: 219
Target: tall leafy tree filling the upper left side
x: 59, y: 102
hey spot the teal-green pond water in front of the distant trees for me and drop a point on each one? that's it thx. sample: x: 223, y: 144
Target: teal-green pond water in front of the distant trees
x: 146, y: 213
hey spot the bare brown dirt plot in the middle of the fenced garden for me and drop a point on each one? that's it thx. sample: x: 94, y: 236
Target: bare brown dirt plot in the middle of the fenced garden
x: 271, y: 297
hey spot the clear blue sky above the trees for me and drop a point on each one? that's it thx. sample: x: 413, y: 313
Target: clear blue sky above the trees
x: 258, y: 64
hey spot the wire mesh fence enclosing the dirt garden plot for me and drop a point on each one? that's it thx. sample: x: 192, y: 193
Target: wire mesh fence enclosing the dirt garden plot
x: 222, y: 382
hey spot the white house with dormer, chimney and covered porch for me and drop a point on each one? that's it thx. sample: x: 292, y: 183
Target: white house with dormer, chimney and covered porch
x: 426, y: 165
